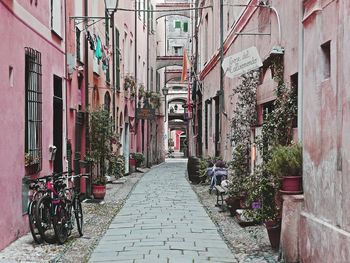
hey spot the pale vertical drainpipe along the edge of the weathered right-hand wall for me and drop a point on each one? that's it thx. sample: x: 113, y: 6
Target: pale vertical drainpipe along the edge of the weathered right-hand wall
x: 301, y: 75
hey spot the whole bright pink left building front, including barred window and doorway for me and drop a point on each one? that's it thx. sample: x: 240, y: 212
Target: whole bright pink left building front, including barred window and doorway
x: 32, y: 111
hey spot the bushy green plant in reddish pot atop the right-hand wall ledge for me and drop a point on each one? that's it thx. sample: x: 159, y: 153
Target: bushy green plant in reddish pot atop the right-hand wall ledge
x: 286, y: 164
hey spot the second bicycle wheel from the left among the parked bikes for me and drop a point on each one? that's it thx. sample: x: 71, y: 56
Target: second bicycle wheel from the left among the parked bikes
x: 43, y: 214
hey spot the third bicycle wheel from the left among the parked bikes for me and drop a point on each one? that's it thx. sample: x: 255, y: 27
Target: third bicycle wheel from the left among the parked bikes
x: 60, y: 224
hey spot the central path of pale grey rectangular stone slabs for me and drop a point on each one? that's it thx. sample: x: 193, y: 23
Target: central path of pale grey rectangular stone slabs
x: 162, y: 221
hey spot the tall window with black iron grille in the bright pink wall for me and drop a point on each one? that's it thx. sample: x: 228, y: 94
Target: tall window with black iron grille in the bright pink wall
x: 33, y: 106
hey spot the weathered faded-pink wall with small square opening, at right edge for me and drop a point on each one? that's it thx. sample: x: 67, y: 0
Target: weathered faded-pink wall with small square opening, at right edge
x: 325, y: 222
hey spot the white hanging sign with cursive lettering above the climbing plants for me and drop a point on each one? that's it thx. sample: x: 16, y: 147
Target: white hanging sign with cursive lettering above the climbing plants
x: 241, y: 62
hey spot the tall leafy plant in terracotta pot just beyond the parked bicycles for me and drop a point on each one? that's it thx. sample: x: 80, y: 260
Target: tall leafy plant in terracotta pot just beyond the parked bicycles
x: 101, y: 137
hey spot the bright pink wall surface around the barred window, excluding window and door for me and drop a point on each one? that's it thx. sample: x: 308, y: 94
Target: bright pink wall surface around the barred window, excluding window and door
x: 25, y: 31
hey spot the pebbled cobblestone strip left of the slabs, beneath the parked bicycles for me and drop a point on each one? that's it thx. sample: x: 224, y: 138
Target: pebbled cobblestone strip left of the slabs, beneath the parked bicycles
x: 97, y: 217
